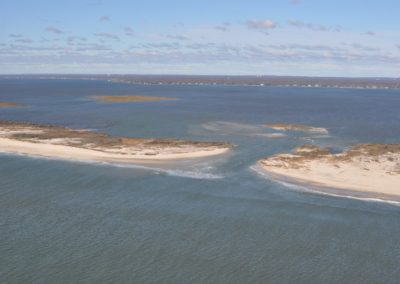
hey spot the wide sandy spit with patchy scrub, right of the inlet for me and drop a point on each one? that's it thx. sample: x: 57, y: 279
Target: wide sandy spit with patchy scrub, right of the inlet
x: 368, y: 168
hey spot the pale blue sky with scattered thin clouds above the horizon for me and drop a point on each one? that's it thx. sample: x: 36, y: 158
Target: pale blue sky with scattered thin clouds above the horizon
x: 345, y: 38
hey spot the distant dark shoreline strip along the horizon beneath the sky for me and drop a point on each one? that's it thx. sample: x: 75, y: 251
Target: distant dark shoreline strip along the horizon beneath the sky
x: 260, y: 81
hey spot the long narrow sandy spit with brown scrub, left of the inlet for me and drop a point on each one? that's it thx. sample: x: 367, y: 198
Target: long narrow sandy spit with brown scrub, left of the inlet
x: 58, y: 142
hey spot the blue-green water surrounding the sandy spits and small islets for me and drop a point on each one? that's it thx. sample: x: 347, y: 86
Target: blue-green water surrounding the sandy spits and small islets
x: 212, y: 220
